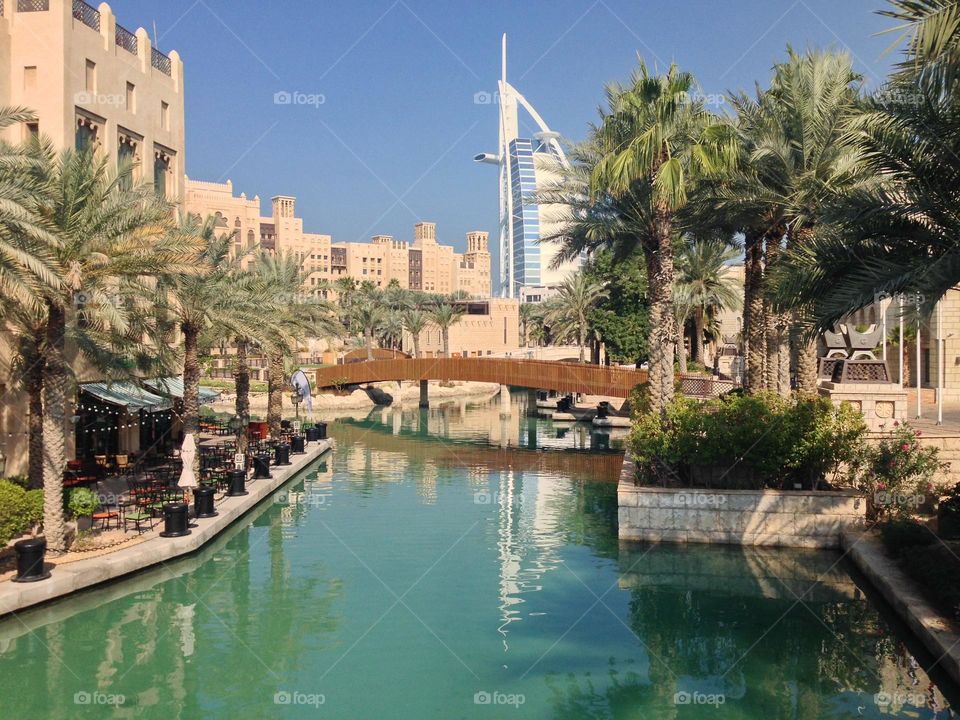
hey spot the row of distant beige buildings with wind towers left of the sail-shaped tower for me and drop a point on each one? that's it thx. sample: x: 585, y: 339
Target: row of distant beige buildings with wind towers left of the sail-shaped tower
x: 423, y: 264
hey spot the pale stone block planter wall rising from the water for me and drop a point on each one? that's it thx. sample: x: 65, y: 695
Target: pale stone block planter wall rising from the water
x: 735, y: 517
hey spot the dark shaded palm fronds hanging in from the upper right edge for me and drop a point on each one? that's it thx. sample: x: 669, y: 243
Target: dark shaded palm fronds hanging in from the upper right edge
x: 900, y: 234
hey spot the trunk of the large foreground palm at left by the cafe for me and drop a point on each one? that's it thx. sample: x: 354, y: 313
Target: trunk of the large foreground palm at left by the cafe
x: 54, y: 414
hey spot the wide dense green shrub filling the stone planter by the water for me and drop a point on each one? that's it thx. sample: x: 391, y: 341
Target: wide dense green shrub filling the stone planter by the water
x: 754, y: 441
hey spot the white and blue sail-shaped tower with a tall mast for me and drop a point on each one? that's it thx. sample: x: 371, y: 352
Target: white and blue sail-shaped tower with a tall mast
x: 526, y: 166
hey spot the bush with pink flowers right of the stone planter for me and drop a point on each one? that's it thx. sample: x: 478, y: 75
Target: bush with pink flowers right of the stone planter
x: 899, y: 474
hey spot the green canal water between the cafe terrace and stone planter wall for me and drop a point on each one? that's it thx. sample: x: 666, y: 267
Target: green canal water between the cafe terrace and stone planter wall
x: 421, y: 570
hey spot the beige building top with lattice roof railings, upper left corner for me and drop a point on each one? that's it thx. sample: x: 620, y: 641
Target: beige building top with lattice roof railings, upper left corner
x: 93, y: 82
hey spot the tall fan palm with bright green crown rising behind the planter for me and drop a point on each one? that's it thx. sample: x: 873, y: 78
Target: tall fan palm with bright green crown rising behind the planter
x: 654, y: 140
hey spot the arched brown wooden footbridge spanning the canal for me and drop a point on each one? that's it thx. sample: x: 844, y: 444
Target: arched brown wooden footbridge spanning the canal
x: 545, y: 375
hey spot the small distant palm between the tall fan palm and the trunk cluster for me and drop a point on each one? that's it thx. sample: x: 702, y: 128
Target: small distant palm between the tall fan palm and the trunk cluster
x: 707, y: 286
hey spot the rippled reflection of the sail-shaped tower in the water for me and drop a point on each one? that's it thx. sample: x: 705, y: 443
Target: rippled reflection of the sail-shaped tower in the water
x: 528, y: 541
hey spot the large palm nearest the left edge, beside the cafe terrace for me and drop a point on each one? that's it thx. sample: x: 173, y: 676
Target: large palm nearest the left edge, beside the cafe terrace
x: 108, y: 234
